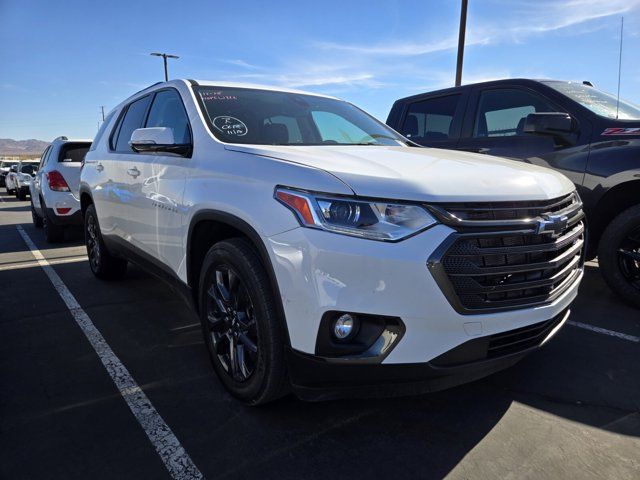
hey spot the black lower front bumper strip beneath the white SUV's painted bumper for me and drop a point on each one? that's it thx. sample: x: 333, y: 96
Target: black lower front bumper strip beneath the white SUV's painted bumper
x: 317, y: 379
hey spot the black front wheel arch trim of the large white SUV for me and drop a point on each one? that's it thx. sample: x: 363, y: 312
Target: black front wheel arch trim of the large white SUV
x: 208, y: 227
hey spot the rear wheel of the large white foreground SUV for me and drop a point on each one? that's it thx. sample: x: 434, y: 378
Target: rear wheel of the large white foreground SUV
x: 103, y: 265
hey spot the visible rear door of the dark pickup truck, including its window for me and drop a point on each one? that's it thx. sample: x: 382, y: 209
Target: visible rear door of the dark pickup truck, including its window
x: 434, y: 121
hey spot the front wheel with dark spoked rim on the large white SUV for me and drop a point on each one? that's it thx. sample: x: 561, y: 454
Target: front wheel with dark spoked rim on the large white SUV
x: 247, y: 317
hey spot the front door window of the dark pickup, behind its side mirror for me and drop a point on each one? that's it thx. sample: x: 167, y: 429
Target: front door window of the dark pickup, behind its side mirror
x: 502, y: 112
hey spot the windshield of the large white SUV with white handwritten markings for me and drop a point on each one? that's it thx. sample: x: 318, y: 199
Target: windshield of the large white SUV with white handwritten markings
x: 263, y: 117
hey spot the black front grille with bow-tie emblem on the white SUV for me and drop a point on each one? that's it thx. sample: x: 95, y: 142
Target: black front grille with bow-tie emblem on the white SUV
x: 505, y: 263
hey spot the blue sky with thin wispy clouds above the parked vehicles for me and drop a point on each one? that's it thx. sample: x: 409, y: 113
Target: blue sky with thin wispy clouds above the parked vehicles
x: 61, y: 60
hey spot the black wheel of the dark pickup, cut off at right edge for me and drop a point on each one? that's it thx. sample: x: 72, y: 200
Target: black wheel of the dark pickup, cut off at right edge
x: 619, y: 255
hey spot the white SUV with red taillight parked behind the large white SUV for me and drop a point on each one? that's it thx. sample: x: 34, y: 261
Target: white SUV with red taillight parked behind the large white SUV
x: 55, y: 200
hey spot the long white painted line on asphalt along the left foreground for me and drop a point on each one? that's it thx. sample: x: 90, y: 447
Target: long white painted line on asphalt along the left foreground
x: 174, y: 456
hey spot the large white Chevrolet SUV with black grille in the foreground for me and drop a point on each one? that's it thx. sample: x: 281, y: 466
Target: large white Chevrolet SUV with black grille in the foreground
x: 324, y: 252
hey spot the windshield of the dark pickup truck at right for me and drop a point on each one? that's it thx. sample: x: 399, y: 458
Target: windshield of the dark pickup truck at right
x: 597, y: 101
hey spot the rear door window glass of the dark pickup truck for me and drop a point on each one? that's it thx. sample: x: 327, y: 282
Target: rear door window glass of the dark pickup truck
x: 430, y: 119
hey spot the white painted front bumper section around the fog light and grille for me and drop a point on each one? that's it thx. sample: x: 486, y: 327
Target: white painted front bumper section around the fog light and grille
x: 319, y: 272
